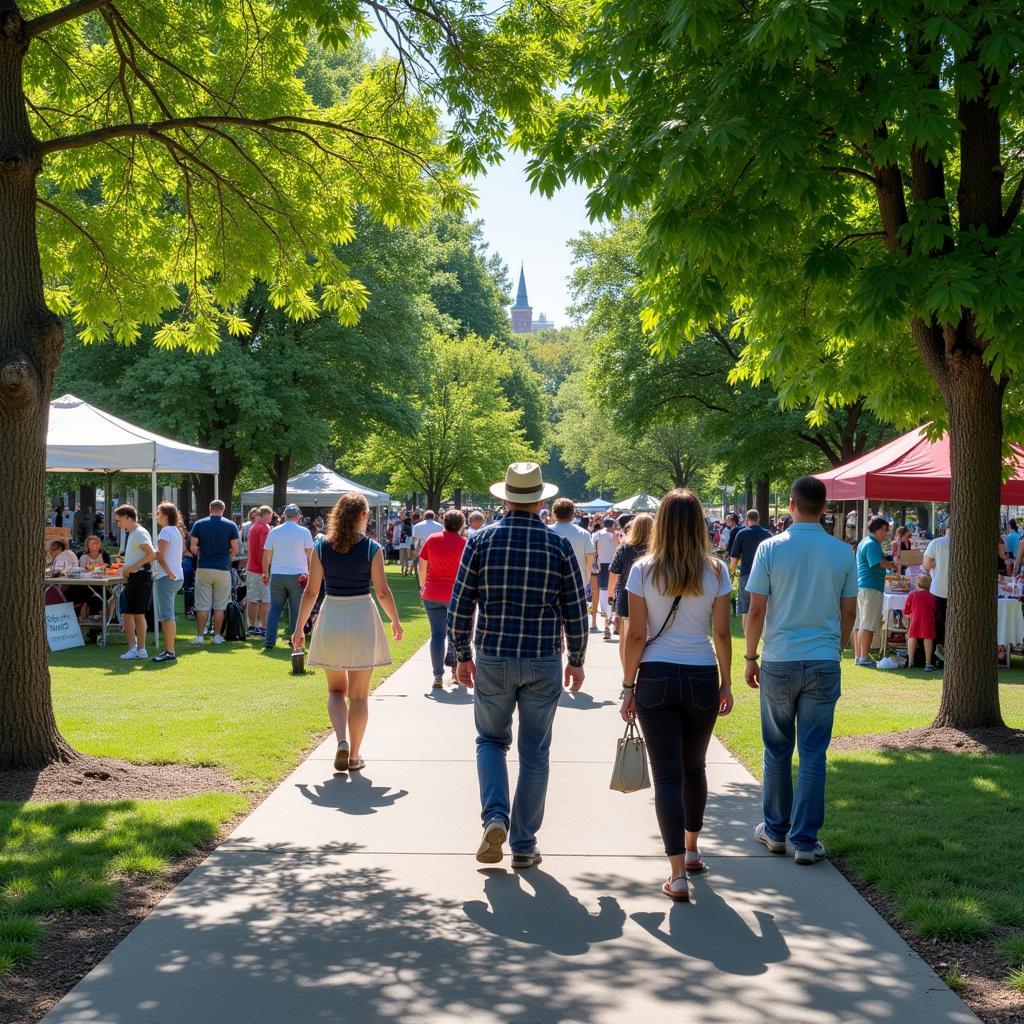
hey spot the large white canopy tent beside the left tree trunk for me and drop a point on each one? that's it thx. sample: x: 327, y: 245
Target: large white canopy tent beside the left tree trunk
x: 82, y: 439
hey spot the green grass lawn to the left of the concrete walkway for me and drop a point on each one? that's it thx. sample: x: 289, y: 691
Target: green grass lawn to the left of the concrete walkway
x: 233, y: 707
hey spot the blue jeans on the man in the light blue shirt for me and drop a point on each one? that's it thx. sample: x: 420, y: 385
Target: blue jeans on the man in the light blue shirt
x: 798, y: 705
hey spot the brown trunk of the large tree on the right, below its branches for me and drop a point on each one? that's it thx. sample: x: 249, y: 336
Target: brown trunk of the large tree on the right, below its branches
x: 970, y: 685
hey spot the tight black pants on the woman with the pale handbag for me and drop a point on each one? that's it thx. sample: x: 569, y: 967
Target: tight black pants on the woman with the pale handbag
x: 677, y: 706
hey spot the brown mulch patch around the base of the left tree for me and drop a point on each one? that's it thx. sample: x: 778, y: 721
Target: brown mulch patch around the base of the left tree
x: 105, y: 780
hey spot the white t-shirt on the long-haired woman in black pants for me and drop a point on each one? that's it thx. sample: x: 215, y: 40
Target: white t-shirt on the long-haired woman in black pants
x: 686, y: 641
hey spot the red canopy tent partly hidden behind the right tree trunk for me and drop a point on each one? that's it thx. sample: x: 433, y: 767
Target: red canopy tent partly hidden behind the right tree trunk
x: 910, y: 470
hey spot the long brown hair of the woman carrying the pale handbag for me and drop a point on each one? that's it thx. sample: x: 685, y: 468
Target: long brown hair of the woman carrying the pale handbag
x: 680, y: 550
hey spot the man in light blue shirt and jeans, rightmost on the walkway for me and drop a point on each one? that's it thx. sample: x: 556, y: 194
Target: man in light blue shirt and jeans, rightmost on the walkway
x: 803, y: 589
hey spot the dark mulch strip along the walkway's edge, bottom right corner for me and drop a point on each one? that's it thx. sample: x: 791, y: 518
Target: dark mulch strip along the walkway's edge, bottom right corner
x: 980, y: 963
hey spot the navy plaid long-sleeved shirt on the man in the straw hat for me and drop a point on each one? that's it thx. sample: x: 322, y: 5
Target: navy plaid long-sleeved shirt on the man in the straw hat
x: 527, y: 582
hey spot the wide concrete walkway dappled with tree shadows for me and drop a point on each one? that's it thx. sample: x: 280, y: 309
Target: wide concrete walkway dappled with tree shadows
x: 358, y: 900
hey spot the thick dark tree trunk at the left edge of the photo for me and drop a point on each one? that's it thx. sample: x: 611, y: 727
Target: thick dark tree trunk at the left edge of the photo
x: 31, y: 338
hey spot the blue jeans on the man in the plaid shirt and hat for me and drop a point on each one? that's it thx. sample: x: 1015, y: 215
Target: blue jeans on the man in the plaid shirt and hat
x: 534, y: 687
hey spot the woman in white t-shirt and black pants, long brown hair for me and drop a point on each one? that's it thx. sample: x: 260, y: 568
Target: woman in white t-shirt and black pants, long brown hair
x: 676, y: 684
